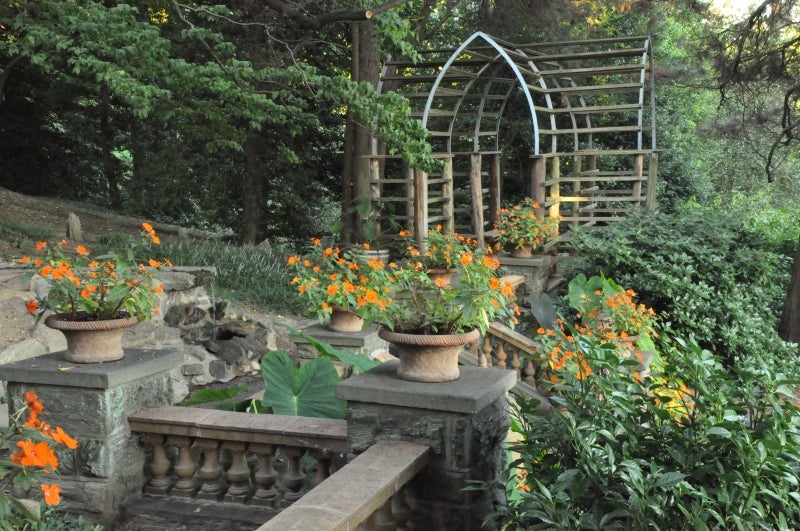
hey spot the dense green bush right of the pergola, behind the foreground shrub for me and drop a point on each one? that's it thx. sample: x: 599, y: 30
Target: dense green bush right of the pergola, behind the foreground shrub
x: 709, y: 276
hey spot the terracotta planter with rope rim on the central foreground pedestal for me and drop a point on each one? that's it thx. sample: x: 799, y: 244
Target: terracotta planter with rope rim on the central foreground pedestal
x: 428, y: 358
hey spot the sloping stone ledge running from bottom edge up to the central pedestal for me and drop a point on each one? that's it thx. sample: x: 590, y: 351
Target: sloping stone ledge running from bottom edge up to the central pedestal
x: 351, y: 495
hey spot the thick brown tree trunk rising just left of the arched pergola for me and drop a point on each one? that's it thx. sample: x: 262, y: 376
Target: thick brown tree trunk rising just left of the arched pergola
x: 365, y: 67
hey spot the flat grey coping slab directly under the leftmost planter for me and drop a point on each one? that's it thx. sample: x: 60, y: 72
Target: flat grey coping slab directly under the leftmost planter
x: 53, y: 369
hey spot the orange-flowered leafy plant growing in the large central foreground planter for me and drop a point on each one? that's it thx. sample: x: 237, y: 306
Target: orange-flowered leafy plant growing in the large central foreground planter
x: 412, y: 302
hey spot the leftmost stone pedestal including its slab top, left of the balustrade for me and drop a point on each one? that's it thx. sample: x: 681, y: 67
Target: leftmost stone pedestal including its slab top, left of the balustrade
x: 91, y: 402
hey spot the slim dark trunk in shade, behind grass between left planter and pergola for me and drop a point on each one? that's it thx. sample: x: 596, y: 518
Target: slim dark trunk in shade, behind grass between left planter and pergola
x: 252, y: 189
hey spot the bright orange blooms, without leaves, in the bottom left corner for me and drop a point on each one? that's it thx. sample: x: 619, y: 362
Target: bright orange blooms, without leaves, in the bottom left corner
x: 33, y: 454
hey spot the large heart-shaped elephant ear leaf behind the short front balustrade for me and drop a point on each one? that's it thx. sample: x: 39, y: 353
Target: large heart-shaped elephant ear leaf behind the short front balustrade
x: 306, y: 391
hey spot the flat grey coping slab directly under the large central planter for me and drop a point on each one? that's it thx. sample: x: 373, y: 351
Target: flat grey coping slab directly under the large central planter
x: 476, y: 388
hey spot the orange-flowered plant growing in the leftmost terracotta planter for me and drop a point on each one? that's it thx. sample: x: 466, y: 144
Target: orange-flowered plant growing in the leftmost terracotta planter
x: 108, y: 286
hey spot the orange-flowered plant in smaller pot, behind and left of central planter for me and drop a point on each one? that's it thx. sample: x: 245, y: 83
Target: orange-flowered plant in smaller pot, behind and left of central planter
x: 328, y: 278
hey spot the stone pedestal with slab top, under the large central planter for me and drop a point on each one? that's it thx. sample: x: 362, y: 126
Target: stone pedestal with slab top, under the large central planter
x: 465, y: 422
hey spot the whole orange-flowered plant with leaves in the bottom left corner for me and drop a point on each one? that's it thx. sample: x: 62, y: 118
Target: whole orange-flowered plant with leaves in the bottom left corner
x: 34, y: 454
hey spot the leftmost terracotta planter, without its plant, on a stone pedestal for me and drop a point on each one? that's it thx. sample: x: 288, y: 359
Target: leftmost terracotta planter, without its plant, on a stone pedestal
x: 92, y: 341
